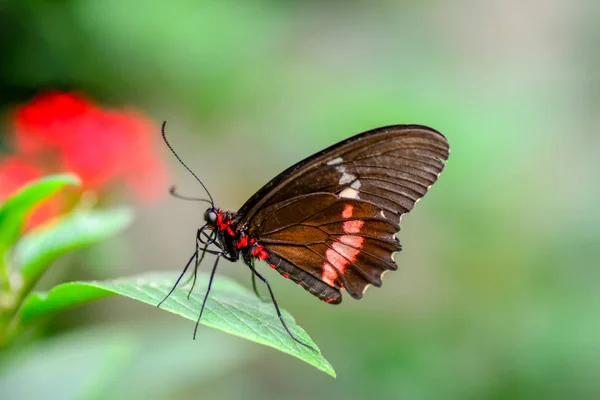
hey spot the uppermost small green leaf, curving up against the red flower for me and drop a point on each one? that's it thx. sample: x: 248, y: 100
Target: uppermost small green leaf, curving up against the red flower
x: 16, y: 208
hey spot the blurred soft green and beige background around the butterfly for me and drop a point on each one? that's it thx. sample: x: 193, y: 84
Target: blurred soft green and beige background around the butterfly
x: 496, y: 295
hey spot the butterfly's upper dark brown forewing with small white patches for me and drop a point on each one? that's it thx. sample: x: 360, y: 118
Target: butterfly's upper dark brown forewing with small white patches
x: 392, y: 167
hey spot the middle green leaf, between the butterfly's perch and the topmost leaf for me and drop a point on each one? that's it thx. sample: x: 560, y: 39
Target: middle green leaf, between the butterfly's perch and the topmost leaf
x: 35, y: 252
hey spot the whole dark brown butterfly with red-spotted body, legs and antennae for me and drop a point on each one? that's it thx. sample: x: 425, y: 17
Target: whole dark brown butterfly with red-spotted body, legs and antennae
x: 329, y: 222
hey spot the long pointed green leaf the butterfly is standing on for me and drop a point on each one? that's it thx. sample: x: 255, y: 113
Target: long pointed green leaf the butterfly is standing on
x: 230, y: 308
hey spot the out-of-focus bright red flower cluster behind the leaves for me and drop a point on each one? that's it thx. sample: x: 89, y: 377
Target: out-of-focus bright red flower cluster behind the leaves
x: 65, y: 132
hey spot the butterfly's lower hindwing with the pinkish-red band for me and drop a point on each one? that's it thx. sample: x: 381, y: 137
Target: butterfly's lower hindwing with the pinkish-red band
x: 344, y: 243
